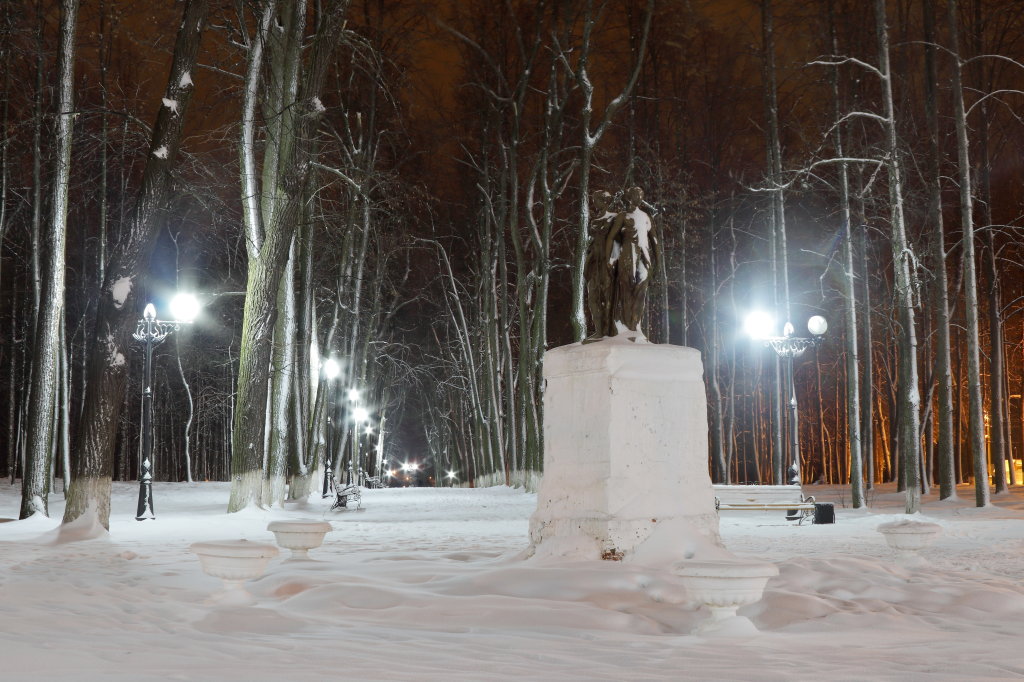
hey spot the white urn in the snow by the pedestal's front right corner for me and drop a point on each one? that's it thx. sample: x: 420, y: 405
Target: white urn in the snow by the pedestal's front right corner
x: 723, y: 587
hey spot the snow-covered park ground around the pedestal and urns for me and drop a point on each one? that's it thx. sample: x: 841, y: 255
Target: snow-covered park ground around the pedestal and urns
x: 431, y: 585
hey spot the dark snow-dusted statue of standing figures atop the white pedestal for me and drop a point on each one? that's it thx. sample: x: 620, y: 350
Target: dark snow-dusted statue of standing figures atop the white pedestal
x: 622, y: 258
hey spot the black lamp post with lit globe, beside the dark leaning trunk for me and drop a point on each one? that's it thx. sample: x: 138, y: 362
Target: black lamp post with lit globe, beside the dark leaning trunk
x: 152, y: 332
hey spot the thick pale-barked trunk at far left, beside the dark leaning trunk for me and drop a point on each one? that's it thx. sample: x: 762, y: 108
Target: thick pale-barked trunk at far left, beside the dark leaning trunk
x: 36, y: 480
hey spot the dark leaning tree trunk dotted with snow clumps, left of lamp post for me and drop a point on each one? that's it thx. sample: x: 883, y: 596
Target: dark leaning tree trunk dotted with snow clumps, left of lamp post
x: 117, y: 311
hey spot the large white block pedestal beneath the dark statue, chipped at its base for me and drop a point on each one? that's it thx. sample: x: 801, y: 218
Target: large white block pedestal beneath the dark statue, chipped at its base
x: 626, y: 454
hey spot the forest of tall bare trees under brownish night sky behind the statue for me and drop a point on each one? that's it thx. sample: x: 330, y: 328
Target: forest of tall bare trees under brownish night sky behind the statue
x: 404, y: 188
